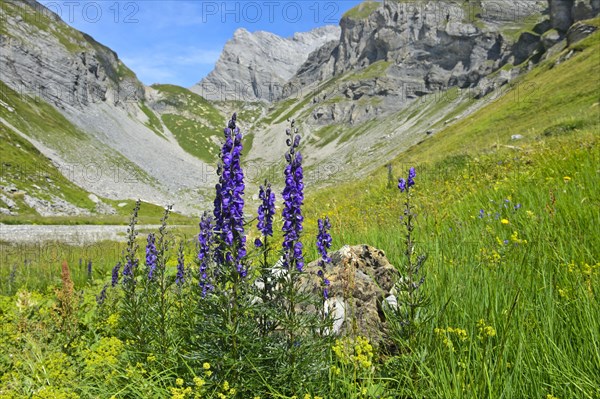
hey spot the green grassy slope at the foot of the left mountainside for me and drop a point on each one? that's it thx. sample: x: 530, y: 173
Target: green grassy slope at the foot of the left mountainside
x: 33, y: 174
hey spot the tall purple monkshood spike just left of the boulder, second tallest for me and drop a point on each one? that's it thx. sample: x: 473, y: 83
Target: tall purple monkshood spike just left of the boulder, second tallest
x: 293, y: 199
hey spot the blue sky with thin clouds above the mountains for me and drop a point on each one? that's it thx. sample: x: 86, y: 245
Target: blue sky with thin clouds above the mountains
x: 178, y: 42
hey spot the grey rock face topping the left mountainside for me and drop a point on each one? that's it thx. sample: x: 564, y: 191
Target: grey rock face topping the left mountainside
x: 48, y: 59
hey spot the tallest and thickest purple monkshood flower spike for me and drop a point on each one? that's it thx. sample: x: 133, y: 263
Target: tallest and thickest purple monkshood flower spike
x: 229, y: 201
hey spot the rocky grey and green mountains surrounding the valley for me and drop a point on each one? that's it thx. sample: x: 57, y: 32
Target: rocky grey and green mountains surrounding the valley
x: 81, y: 134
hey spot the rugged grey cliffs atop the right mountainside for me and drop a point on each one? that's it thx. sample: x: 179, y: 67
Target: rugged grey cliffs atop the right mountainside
x: 400, y: 51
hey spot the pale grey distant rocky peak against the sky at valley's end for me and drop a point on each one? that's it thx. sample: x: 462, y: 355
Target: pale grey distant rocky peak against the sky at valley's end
x: 255, y: 66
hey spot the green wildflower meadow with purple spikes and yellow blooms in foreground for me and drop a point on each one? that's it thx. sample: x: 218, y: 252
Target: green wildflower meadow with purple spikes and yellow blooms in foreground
x: 496, y: 295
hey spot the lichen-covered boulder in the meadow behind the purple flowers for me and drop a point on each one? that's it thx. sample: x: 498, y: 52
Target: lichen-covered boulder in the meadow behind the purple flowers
x: 361, y: 278
